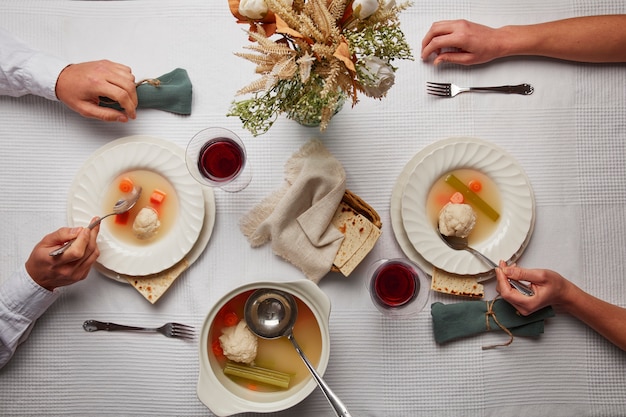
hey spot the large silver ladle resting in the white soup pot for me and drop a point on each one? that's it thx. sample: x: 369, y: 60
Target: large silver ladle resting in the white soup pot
x: 271, y: 314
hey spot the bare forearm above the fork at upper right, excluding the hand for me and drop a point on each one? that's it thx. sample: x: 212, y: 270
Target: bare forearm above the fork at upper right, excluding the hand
x: 585, y: 39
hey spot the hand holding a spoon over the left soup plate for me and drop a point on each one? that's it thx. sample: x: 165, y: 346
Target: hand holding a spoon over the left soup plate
x: 72, y: 266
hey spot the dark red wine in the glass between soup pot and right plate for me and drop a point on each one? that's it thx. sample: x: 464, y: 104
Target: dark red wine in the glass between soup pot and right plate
x: 395, y: 284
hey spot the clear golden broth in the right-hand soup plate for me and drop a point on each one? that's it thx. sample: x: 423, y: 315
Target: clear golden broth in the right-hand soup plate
x: 440, y: 193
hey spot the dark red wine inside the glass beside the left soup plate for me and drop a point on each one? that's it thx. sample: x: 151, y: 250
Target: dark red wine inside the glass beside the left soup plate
x: 221, y: 159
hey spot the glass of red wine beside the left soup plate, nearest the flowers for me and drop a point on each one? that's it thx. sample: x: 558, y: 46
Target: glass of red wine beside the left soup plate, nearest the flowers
x: 217, y: 157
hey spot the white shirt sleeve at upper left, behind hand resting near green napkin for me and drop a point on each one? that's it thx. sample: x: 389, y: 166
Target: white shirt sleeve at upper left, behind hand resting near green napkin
x: 24, y: 70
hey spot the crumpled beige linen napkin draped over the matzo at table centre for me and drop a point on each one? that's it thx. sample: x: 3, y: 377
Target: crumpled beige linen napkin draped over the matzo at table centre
x: 297, y: 218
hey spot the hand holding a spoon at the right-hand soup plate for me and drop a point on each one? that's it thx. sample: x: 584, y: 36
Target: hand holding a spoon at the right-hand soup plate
x: 549, y: 287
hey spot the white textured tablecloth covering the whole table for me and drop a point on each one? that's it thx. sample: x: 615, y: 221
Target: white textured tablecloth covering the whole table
x: 570, y: 136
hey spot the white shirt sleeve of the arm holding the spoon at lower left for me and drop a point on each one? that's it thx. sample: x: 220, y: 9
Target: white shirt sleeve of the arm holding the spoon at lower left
x: 22, y: 302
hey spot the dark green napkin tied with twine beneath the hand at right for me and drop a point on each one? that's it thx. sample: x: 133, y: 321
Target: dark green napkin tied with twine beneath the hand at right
x: 468, y: 318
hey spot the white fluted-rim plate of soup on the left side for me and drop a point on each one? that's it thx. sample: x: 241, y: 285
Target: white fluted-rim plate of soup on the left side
x: 150, y: 163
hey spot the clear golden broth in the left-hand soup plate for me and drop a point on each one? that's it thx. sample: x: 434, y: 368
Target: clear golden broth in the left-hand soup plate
x: 149, y: 181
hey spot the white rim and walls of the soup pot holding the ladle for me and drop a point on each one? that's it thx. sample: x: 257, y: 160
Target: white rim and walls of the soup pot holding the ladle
x: 223, y: 395
